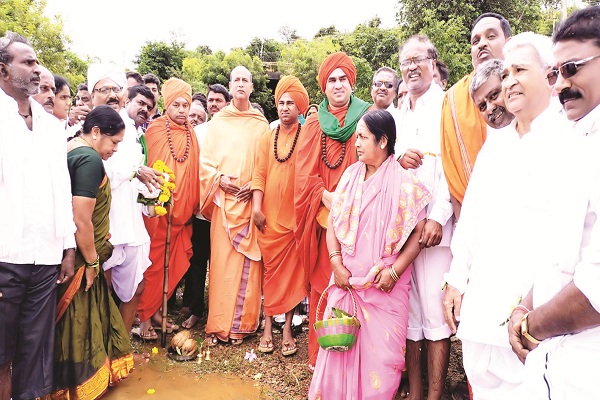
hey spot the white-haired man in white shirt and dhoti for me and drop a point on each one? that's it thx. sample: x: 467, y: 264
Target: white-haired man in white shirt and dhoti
x: 510, y: 200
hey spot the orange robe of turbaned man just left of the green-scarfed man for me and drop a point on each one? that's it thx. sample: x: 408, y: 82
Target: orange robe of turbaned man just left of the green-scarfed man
x: 285, y: 280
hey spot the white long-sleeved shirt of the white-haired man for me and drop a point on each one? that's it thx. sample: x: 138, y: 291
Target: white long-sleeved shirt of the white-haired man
x: 509, y: 197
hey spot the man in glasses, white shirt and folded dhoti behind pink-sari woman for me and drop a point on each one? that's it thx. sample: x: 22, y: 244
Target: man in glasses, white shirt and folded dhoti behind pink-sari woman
x: 418, y: 148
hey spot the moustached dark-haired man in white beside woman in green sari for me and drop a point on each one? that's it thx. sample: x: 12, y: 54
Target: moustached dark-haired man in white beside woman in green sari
x: 130, y: 257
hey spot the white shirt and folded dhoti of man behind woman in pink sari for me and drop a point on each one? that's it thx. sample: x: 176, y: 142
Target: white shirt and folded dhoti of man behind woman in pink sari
x: 419, y: 129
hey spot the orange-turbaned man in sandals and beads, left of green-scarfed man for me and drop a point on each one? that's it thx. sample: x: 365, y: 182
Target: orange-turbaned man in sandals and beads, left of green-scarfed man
x: 285, y: 280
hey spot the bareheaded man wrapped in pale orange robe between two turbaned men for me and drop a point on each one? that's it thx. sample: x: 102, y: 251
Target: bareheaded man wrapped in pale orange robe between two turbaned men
x: 227, y: 163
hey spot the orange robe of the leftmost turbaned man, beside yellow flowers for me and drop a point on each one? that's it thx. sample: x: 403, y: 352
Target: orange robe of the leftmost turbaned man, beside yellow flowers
x: 185, y: 198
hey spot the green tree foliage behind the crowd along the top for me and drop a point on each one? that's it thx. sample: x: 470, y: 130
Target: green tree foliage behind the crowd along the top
x: 447, y: 23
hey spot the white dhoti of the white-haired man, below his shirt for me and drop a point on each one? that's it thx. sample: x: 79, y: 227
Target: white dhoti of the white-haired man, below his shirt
x: 494, y: 372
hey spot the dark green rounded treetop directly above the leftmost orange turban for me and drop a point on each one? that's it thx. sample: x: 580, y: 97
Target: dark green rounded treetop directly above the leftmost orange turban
x: 162, y: 59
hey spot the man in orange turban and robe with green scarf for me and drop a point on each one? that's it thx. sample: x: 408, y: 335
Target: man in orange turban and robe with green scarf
x: 325, y: 150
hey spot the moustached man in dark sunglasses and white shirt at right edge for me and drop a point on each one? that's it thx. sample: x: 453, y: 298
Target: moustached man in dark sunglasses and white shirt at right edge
x: 559, y: 338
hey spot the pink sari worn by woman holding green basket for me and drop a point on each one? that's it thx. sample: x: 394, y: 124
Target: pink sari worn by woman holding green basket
x: 372, y: 220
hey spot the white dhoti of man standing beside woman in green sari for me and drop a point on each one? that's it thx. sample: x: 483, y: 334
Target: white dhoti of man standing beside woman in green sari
x: 127, y: 265
